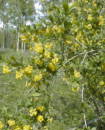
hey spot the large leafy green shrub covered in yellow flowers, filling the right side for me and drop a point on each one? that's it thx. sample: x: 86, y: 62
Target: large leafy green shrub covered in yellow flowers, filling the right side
x: 69, y: 42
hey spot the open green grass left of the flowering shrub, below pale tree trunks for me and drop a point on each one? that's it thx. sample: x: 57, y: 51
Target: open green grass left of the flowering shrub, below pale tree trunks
x: 12, y: 92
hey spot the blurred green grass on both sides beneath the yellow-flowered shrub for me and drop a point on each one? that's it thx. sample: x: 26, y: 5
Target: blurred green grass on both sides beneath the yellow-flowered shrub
x: 14, y: 98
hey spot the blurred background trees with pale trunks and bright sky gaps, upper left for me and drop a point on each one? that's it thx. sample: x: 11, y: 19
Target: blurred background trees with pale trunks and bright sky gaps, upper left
x: 16, y: 13
